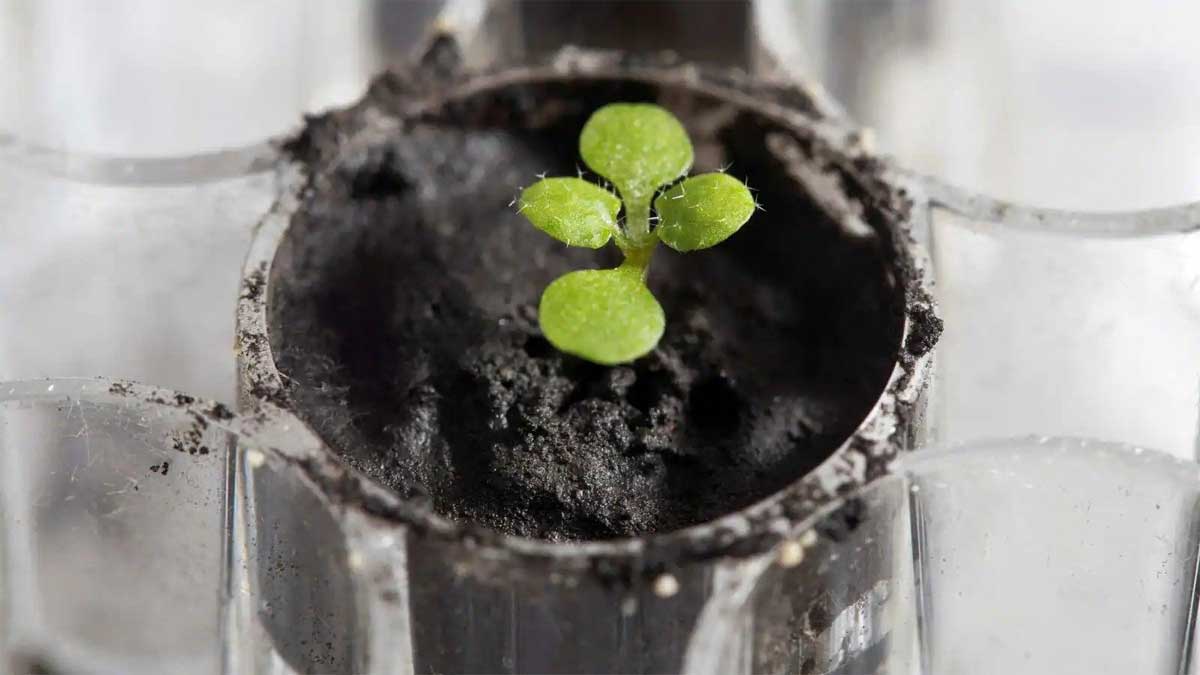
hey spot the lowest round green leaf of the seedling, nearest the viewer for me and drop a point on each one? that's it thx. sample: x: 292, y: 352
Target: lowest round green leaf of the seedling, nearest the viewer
x: 607, y: 316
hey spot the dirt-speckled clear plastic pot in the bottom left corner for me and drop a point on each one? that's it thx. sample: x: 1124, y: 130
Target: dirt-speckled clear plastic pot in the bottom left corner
x: 147, y: 531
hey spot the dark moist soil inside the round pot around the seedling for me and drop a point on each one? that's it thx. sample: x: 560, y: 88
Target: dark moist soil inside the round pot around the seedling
x: 403, y: 315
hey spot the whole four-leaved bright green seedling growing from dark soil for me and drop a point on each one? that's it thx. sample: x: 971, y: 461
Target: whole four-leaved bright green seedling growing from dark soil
x: 609, y: 316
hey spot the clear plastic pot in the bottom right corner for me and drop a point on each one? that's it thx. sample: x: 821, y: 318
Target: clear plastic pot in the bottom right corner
x: 1039, y: 557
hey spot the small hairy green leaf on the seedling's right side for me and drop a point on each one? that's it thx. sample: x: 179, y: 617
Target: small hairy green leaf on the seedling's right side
x: 703, y: 212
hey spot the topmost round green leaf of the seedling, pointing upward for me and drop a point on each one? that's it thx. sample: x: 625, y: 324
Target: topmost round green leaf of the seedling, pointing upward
x: 639, y: 147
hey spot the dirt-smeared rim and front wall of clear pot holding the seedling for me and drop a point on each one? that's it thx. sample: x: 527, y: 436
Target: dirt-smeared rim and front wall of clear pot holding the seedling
x: 449, y: 598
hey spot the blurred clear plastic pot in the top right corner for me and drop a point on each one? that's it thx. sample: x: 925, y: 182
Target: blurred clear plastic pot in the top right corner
x: 1073, y: 105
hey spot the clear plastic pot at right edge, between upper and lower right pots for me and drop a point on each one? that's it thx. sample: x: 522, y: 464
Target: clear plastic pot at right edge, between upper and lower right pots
x: 1066, y: 324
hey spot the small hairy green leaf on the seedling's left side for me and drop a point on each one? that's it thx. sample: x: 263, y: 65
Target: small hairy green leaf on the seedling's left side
x: 572, y: 211
